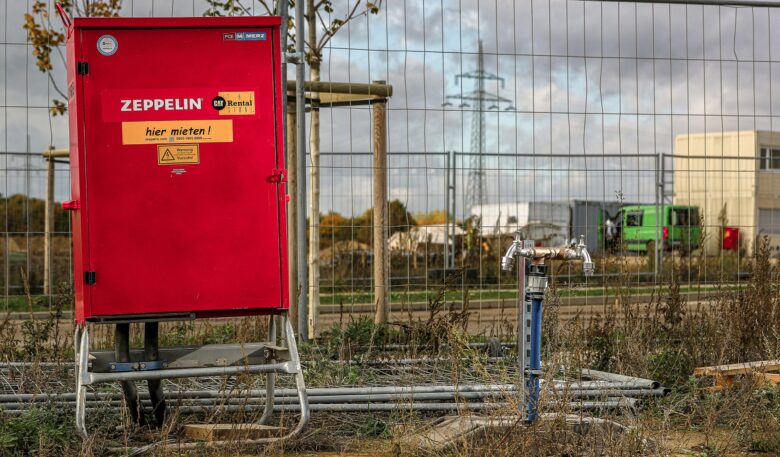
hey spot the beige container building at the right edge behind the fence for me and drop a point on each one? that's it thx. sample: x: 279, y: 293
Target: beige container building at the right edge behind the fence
x: 733, y: 177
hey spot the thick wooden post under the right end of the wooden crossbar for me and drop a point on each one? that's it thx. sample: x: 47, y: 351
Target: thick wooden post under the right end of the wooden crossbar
x: 381, y: 261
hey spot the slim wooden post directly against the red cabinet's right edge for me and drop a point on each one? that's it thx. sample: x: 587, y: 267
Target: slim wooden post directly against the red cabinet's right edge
x: 292, y: 215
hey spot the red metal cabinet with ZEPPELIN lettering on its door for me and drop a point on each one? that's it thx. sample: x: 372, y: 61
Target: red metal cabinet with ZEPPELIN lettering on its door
x: 176, y: 167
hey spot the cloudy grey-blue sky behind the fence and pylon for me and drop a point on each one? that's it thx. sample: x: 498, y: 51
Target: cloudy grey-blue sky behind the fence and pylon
x: 603, y: 87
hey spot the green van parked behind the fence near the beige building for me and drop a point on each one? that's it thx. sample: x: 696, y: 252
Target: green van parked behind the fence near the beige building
x: 637, y: 228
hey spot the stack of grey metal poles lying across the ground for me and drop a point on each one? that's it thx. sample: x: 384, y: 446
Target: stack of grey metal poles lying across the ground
x: 615, y: 393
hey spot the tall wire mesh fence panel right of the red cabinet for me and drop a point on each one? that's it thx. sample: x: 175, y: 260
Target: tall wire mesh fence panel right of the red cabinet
x: 557, y: 119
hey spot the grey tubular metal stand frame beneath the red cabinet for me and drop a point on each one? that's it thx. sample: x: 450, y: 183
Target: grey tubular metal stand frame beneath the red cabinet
x: 190, y: 362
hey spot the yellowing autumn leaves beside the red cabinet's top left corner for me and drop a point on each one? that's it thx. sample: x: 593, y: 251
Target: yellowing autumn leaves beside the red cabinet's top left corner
x: 47, y: 35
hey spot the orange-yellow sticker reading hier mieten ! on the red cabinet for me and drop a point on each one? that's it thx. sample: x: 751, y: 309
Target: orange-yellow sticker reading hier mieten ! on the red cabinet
x: 209, y: 131
